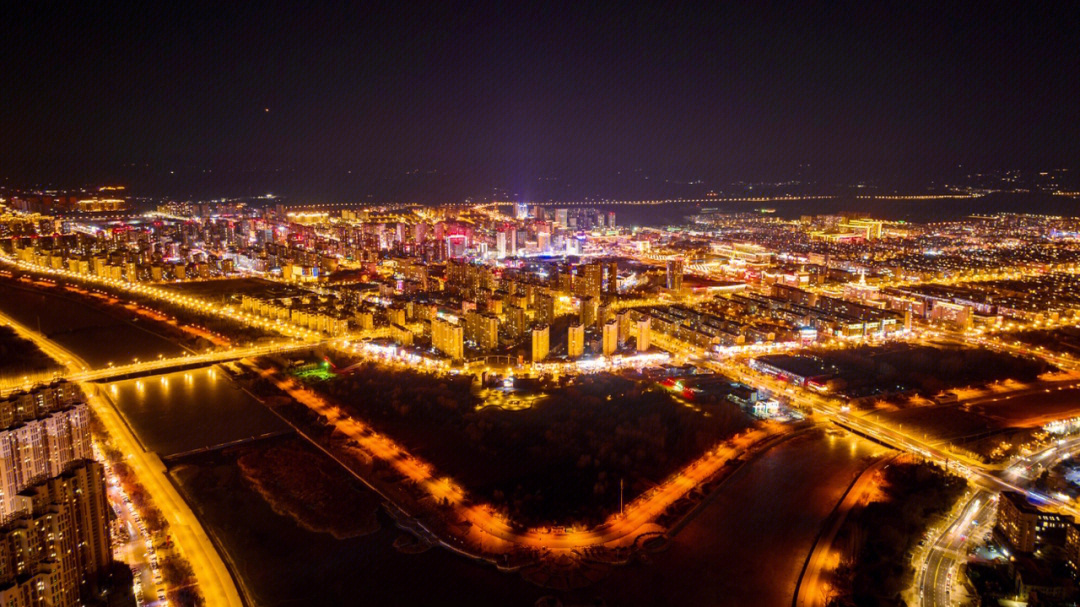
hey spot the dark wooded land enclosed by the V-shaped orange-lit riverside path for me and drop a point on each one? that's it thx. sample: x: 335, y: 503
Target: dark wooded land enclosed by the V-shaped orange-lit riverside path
x: 559, y: 462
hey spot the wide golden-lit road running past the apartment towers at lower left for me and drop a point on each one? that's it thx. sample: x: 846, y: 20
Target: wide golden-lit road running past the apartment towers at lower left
x: 215, y: 583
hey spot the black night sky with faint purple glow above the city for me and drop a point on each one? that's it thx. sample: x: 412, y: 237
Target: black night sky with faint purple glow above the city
x: 525, y: 96
